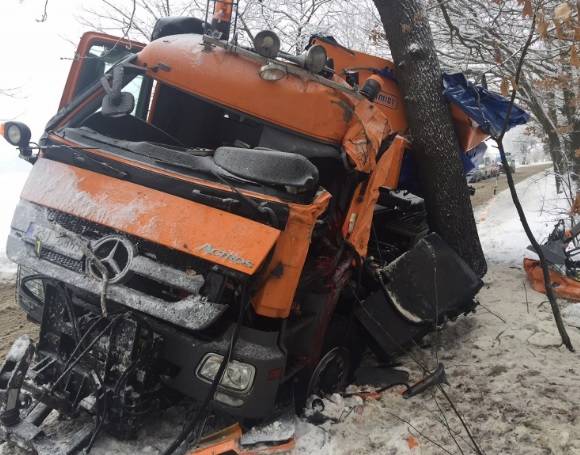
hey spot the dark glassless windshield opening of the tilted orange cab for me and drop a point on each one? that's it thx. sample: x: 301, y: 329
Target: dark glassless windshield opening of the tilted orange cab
x: 174, y: 129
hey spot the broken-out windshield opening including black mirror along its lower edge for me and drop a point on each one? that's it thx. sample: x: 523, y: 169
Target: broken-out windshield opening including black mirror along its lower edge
x: 173, y: 129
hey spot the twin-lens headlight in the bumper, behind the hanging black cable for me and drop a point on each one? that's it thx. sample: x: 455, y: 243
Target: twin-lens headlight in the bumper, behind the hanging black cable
x: 238, y: 376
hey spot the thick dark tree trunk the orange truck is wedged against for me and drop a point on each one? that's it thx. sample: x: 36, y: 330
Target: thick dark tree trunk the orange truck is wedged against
x: 436, y: 149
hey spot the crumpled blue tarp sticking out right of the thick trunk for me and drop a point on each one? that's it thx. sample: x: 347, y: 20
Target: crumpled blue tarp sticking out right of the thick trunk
x: 488, y: 109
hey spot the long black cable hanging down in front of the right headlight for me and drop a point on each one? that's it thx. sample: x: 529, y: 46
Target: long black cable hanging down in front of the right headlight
x: 188, y: 429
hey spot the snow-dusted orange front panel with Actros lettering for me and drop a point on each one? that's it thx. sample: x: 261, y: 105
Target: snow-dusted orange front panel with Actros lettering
x: 205, y: 232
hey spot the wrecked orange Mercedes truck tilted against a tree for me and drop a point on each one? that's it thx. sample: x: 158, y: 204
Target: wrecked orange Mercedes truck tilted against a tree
x: 217, y: 223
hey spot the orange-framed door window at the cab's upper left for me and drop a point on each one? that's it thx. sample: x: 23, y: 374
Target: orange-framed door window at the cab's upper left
x: 96, y: 53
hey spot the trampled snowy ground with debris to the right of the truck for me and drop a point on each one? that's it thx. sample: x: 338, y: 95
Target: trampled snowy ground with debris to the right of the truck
x: 516, y: 387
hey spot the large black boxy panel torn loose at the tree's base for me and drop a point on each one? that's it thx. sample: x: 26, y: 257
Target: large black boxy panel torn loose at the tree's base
x: 421, y: 289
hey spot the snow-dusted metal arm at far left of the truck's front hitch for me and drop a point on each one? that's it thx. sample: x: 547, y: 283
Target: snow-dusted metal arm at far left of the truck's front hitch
x: 12, y: 377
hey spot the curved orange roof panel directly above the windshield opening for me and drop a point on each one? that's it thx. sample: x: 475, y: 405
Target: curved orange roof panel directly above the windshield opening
x: 301, y: 105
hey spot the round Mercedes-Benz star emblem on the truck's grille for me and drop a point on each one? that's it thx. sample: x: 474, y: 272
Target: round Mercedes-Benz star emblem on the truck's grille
x: 116, y: 254
